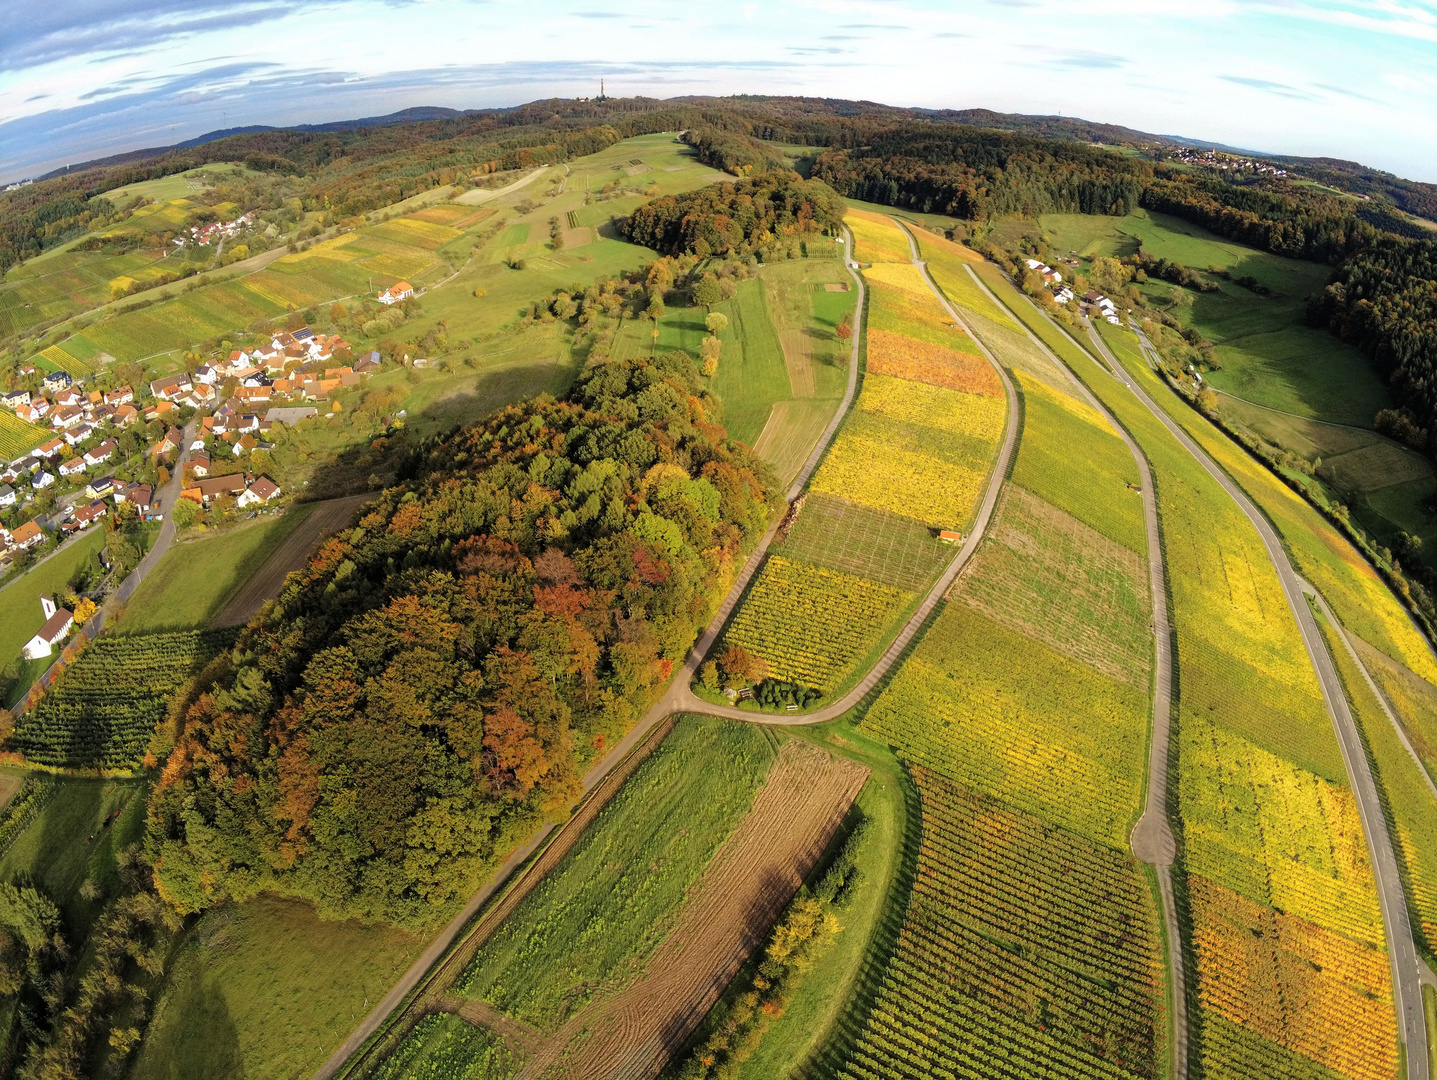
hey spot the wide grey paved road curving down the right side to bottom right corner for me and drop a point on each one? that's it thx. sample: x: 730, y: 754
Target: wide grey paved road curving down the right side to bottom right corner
x: 1402, y: 951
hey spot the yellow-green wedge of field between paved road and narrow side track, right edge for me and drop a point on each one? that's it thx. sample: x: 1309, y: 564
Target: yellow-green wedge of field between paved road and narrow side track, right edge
x: 1406, y: 788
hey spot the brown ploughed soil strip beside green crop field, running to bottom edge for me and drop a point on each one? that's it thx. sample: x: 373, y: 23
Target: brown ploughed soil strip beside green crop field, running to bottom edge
x: 758, y: 871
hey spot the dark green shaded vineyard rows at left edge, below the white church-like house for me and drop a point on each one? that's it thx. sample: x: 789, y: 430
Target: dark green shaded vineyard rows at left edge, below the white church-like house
x: 107, y: 704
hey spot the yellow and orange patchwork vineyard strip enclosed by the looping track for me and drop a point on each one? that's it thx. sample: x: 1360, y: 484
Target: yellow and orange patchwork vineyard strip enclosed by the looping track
x: 913, y: 459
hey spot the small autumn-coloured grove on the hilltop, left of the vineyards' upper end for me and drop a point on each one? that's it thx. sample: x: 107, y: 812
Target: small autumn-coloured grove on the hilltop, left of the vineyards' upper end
x: 736, y: 219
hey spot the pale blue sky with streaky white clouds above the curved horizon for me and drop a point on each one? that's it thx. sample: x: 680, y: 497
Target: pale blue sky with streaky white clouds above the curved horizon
x: 1337, y: 78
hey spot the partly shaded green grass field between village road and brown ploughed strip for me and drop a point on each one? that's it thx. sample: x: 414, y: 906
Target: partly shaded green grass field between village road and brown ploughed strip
x: 196, y: 579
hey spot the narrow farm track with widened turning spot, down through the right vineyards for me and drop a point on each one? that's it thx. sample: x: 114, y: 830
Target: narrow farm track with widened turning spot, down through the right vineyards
x: 1152, y: 841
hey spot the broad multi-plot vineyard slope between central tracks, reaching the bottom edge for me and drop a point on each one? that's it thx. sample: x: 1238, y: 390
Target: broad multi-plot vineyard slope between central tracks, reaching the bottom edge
x: 1022, y: 716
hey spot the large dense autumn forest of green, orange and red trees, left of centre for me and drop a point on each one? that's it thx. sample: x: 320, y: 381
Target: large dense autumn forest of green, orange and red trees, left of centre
x: 438, y: 680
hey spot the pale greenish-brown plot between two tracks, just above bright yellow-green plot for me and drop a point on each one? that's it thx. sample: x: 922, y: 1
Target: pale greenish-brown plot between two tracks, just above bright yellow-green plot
x: 1048, y: 575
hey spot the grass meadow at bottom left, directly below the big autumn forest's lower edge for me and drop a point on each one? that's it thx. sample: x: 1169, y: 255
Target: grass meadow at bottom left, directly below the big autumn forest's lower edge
x: 267, y: 989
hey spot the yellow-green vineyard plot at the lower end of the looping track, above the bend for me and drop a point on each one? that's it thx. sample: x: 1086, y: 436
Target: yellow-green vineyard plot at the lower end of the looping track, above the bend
x: 788, y: 604
